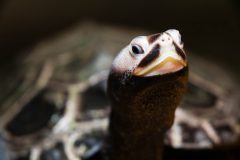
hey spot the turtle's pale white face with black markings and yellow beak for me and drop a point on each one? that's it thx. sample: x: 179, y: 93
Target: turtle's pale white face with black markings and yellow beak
x: 152, y: 55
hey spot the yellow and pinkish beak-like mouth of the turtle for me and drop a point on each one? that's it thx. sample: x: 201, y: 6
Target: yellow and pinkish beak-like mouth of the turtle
x: 168, y: 65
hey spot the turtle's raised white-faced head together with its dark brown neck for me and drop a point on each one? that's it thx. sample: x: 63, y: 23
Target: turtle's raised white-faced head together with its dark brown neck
x: 146, y: 83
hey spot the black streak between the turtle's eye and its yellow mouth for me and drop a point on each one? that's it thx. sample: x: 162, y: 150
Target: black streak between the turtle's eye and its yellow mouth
x: 153, y: 54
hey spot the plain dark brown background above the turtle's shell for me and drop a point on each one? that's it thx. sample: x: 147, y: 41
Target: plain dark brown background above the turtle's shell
x: 209, y: 27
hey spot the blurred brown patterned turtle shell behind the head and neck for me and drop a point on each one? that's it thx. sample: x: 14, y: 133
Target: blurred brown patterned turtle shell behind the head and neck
x: 67, y: 75
